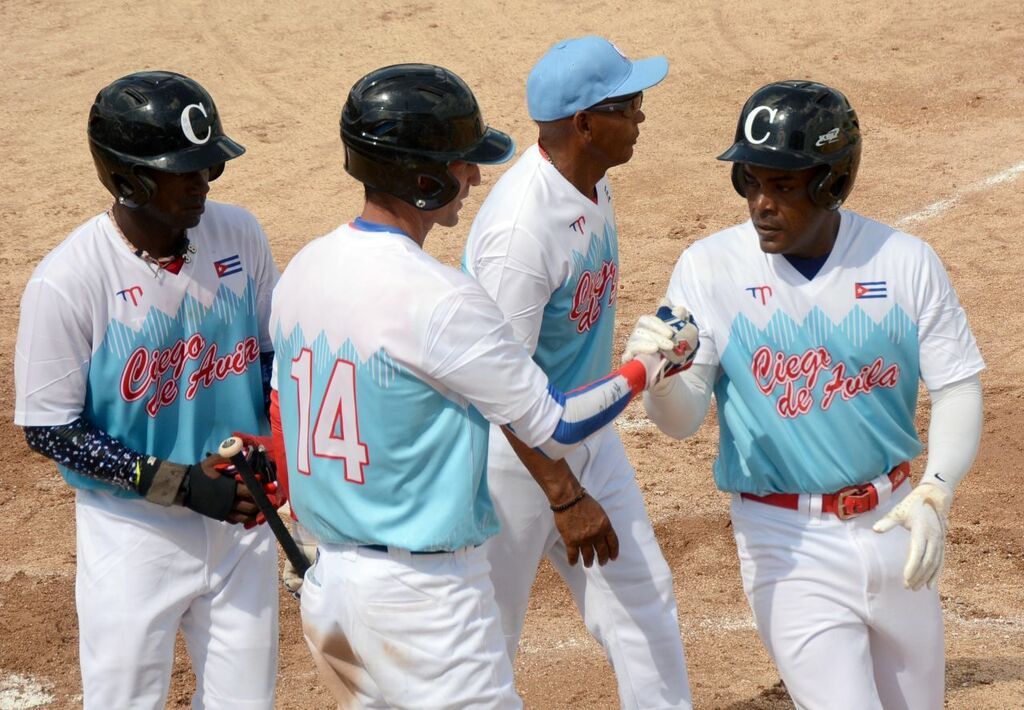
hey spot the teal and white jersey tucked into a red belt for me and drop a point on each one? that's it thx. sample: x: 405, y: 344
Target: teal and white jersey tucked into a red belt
x: 818, y: 382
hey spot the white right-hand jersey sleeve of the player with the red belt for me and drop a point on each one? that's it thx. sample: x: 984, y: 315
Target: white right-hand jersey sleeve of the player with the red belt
x: 949, y: 351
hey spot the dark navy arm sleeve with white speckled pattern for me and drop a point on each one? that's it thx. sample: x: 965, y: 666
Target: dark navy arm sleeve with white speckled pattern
x: 87, y: 450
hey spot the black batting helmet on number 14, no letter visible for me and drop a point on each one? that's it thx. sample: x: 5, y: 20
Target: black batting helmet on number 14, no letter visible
x: 404, y: 124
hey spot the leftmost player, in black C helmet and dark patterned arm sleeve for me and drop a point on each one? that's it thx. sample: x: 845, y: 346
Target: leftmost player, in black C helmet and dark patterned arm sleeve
x: 143, y: 344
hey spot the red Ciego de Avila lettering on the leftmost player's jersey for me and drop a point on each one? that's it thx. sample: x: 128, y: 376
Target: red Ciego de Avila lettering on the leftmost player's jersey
x: 146, y: 370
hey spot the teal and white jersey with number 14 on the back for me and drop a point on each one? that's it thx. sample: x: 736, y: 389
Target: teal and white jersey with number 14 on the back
x: 389, y: 366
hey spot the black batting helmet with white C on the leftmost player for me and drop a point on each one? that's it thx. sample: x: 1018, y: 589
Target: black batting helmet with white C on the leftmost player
x: 158, y: 120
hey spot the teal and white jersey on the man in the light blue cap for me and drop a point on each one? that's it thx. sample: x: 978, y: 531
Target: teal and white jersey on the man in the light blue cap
x: 549, y: 258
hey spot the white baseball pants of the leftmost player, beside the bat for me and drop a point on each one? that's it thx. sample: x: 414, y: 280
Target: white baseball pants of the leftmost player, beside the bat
x: 145, y: 571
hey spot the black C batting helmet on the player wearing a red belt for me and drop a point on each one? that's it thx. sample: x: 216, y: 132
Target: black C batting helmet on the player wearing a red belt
x: 795, y: 126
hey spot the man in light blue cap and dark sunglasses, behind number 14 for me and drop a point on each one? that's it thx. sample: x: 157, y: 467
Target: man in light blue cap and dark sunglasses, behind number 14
x: 545, y: 246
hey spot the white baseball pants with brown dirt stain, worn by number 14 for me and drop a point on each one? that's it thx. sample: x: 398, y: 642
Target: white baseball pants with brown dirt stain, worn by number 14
x: 401, y: 631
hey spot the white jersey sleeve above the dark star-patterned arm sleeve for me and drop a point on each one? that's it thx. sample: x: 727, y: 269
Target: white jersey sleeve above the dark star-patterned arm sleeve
x: 52, y: 356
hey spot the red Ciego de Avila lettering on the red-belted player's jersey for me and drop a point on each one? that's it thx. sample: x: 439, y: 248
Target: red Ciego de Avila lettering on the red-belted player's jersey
x: 773, y: 369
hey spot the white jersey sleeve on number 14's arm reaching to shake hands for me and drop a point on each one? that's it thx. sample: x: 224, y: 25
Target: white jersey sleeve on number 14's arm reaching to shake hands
x: 471, y: 349
